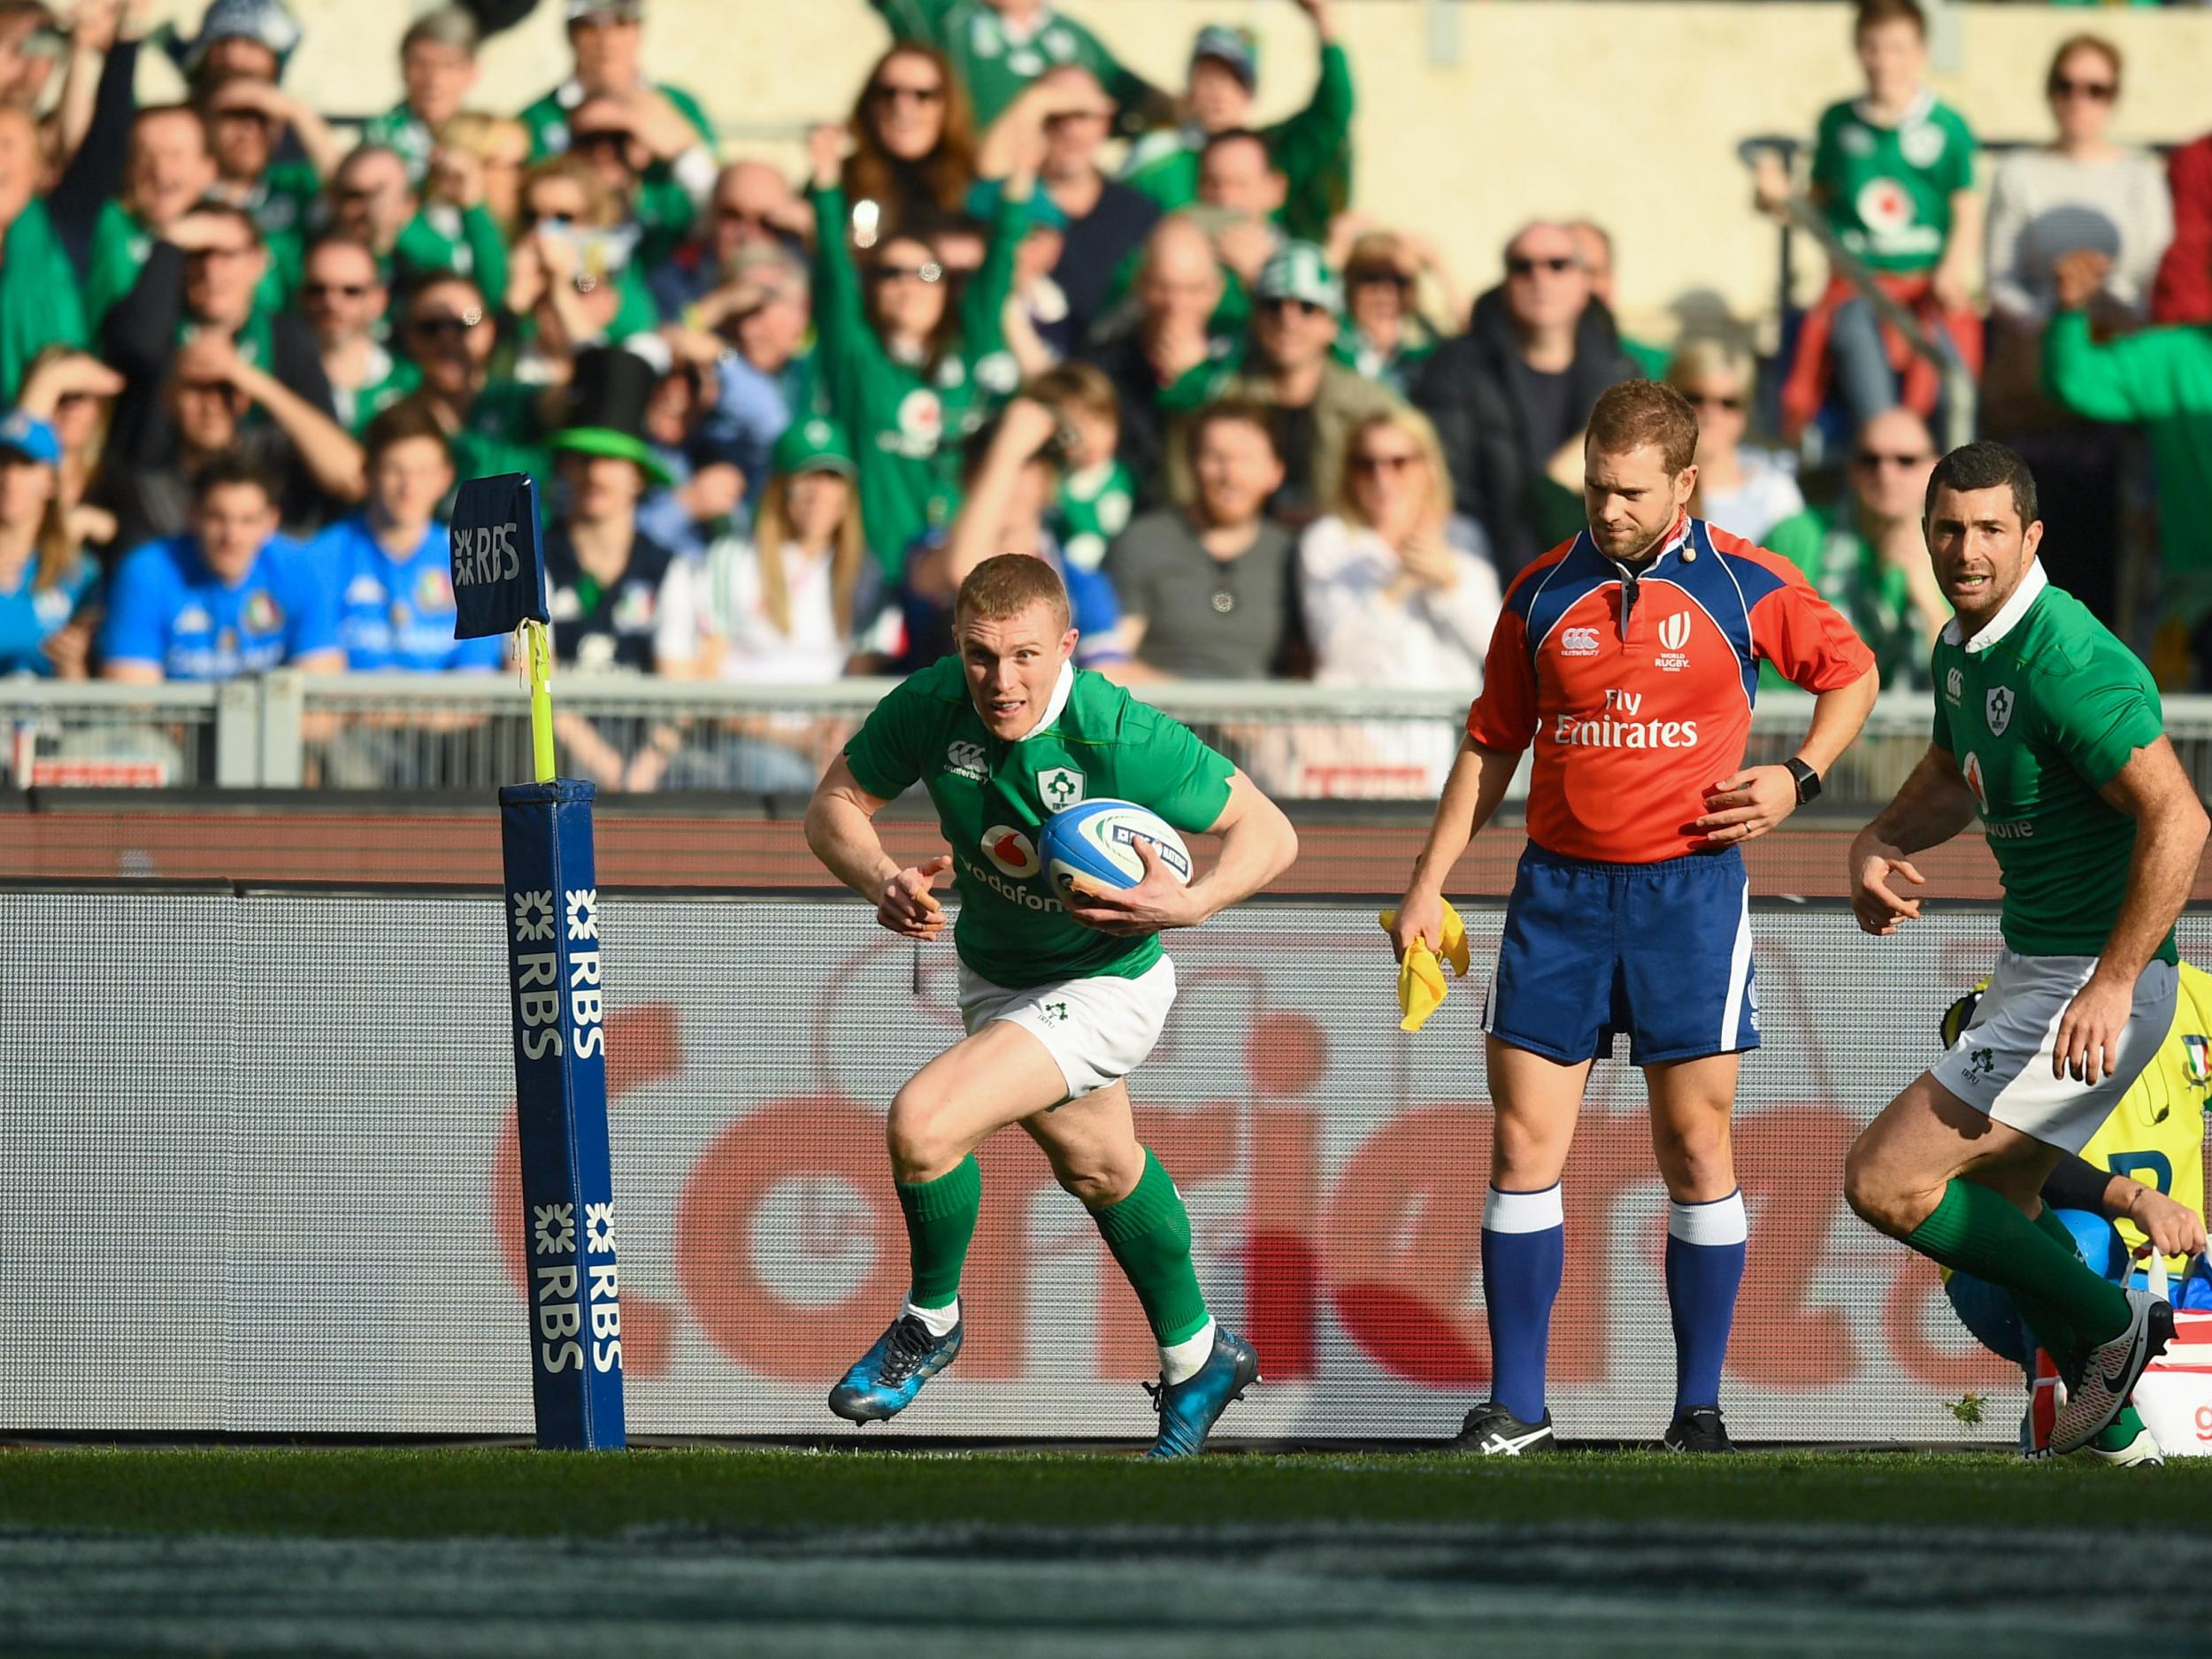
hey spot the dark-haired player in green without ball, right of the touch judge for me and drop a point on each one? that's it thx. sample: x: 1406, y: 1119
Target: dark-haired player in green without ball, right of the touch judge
x: 2052, y: 731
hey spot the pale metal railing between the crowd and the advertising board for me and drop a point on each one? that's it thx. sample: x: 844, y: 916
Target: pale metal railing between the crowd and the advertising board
x: 444, y: 733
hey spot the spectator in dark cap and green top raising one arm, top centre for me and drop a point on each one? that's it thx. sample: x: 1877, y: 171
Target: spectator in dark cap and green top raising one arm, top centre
x: 1313, y: 149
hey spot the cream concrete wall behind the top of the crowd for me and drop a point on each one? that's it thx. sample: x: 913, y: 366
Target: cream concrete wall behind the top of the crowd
x: 1477, y: 116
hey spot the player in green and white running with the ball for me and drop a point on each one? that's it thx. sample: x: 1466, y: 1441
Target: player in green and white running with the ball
x: 1061, y: 1001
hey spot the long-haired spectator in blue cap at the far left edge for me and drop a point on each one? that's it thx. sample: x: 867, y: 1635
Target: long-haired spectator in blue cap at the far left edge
x: 43, y: 572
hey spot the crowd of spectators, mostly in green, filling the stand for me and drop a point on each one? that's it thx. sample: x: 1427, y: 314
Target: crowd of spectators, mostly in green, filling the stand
x: 1023, y: 302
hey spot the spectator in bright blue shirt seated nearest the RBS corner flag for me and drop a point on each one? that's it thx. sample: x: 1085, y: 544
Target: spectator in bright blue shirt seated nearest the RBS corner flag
x: 393, y: 563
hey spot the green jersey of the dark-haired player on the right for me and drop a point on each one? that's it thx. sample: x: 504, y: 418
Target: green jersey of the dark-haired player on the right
x: 2041, y: 711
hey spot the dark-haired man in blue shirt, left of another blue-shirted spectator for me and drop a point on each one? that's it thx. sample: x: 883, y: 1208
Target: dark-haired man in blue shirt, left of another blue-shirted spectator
x: 227, y: 598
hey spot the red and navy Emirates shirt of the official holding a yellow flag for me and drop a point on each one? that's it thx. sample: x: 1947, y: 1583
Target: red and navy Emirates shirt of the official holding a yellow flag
x: 1638, y: 687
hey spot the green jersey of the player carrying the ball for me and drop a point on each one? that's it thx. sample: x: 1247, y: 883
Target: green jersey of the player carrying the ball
x: 992, y: 800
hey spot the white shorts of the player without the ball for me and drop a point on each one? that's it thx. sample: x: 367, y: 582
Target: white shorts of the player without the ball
x: 2001, y: 1065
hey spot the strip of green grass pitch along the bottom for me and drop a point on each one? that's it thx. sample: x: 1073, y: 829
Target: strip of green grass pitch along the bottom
x: 950, y: 1556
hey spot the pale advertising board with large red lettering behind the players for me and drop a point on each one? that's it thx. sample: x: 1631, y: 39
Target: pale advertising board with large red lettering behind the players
x: 262, y: 1176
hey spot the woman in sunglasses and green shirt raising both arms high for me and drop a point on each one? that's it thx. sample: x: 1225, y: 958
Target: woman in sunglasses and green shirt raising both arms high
x: 899, y: 364
